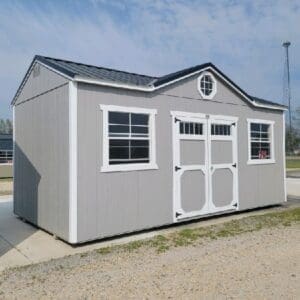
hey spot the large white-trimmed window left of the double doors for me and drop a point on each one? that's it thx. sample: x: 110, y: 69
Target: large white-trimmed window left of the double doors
x: 128, y: 138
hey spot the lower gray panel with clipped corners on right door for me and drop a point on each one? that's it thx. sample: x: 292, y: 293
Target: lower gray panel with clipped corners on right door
x: 222, y: 187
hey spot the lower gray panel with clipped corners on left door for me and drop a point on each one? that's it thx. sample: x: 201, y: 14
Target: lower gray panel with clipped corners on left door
x: 192, y: 191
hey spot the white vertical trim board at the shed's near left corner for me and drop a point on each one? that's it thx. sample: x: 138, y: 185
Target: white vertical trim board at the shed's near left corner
x: 72, y: 162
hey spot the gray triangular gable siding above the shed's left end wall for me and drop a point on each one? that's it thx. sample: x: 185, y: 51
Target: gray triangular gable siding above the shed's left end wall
x: 36, y: 85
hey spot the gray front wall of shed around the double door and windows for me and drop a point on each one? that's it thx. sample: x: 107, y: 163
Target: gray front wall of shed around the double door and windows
x: 119, y: 202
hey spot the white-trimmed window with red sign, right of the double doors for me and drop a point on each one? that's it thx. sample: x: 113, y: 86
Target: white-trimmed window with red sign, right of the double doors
x: 261, y: 141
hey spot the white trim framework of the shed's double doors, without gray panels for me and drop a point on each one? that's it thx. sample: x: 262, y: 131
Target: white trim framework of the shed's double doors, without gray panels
x: 208, y: 208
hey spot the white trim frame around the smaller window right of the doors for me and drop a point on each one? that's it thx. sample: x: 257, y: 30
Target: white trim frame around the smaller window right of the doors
x: 272, y: 152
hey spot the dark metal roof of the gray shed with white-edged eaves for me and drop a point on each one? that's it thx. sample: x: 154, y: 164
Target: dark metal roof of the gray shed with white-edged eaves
x: 72, y: 69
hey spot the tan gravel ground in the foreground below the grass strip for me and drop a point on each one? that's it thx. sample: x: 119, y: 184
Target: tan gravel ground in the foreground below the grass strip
x: 259, y: 265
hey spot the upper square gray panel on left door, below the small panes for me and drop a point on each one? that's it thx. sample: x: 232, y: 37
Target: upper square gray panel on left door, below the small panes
x: 192, y: 152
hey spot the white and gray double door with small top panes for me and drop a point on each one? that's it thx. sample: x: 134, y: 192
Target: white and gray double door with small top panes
x: 204, y: 164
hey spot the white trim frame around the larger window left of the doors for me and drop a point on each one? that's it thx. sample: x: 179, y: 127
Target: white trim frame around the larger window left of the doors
x: 106, y: 167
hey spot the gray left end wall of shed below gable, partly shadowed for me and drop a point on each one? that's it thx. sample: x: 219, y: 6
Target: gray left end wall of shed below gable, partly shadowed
x: 41, y: 184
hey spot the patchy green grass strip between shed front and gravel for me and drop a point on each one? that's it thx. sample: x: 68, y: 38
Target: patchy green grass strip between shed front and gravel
x: 188, y: 236
